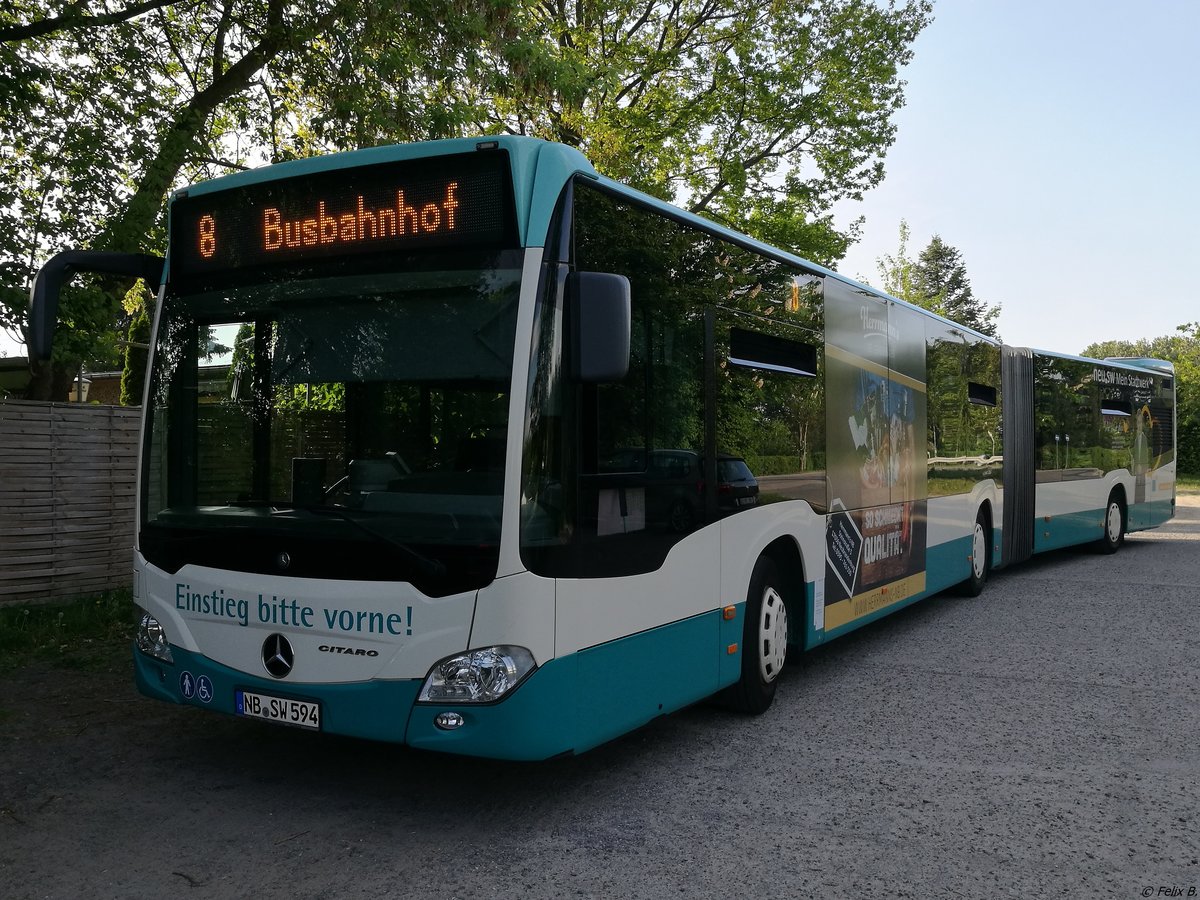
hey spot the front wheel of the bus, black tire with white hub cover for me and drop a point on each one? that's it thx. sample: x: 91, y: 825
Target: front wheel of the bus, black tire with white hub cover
x: 764, y: 641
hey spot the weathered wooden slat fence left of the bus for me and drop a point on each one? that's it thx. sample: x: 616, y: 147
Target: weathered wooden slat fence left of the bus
x: 68, y: 488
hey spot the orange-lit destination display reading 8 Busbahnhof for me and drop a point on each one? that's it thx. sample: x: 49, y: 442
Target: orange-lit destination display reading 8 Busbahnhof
x: 448, y: 202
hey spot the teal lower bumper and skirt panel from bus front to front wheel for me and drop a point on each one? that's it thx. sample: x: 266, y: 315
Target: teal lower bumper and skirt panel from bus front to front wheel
x: 571, y: 704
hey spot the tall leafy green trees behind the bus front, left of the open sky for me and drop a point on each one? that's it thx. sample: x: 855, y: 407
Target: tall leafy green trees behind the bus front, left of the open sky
x: 758, y: 116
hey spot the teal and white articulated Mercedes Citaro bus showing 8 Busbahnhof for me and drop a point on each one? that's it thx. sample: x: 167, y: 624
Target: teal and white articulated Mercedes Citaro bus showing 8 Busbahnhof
x: 465, y: 447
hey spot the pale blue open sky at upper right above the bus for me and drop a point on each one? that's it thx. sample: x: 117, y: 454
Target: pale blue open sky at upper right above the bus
x: 1055, y: 145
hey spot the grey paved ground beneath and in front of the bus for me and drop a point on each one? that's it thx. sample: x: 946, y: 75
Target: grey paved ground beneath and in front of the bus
x: 1041, y: 741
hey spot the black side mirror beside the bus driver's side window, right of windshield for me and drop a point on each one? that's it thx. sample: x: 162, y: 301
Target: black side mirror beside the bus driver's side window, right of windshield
x: 599, y: 313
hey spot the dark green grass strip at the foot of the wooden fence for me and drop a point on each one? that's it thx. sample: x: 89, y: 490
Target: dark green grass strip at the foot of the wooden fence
x: 91, y: 634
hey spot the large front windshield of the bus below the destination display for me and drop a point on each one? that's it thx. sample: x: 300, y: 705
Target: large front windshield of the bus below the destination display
x: 355, y: 425
